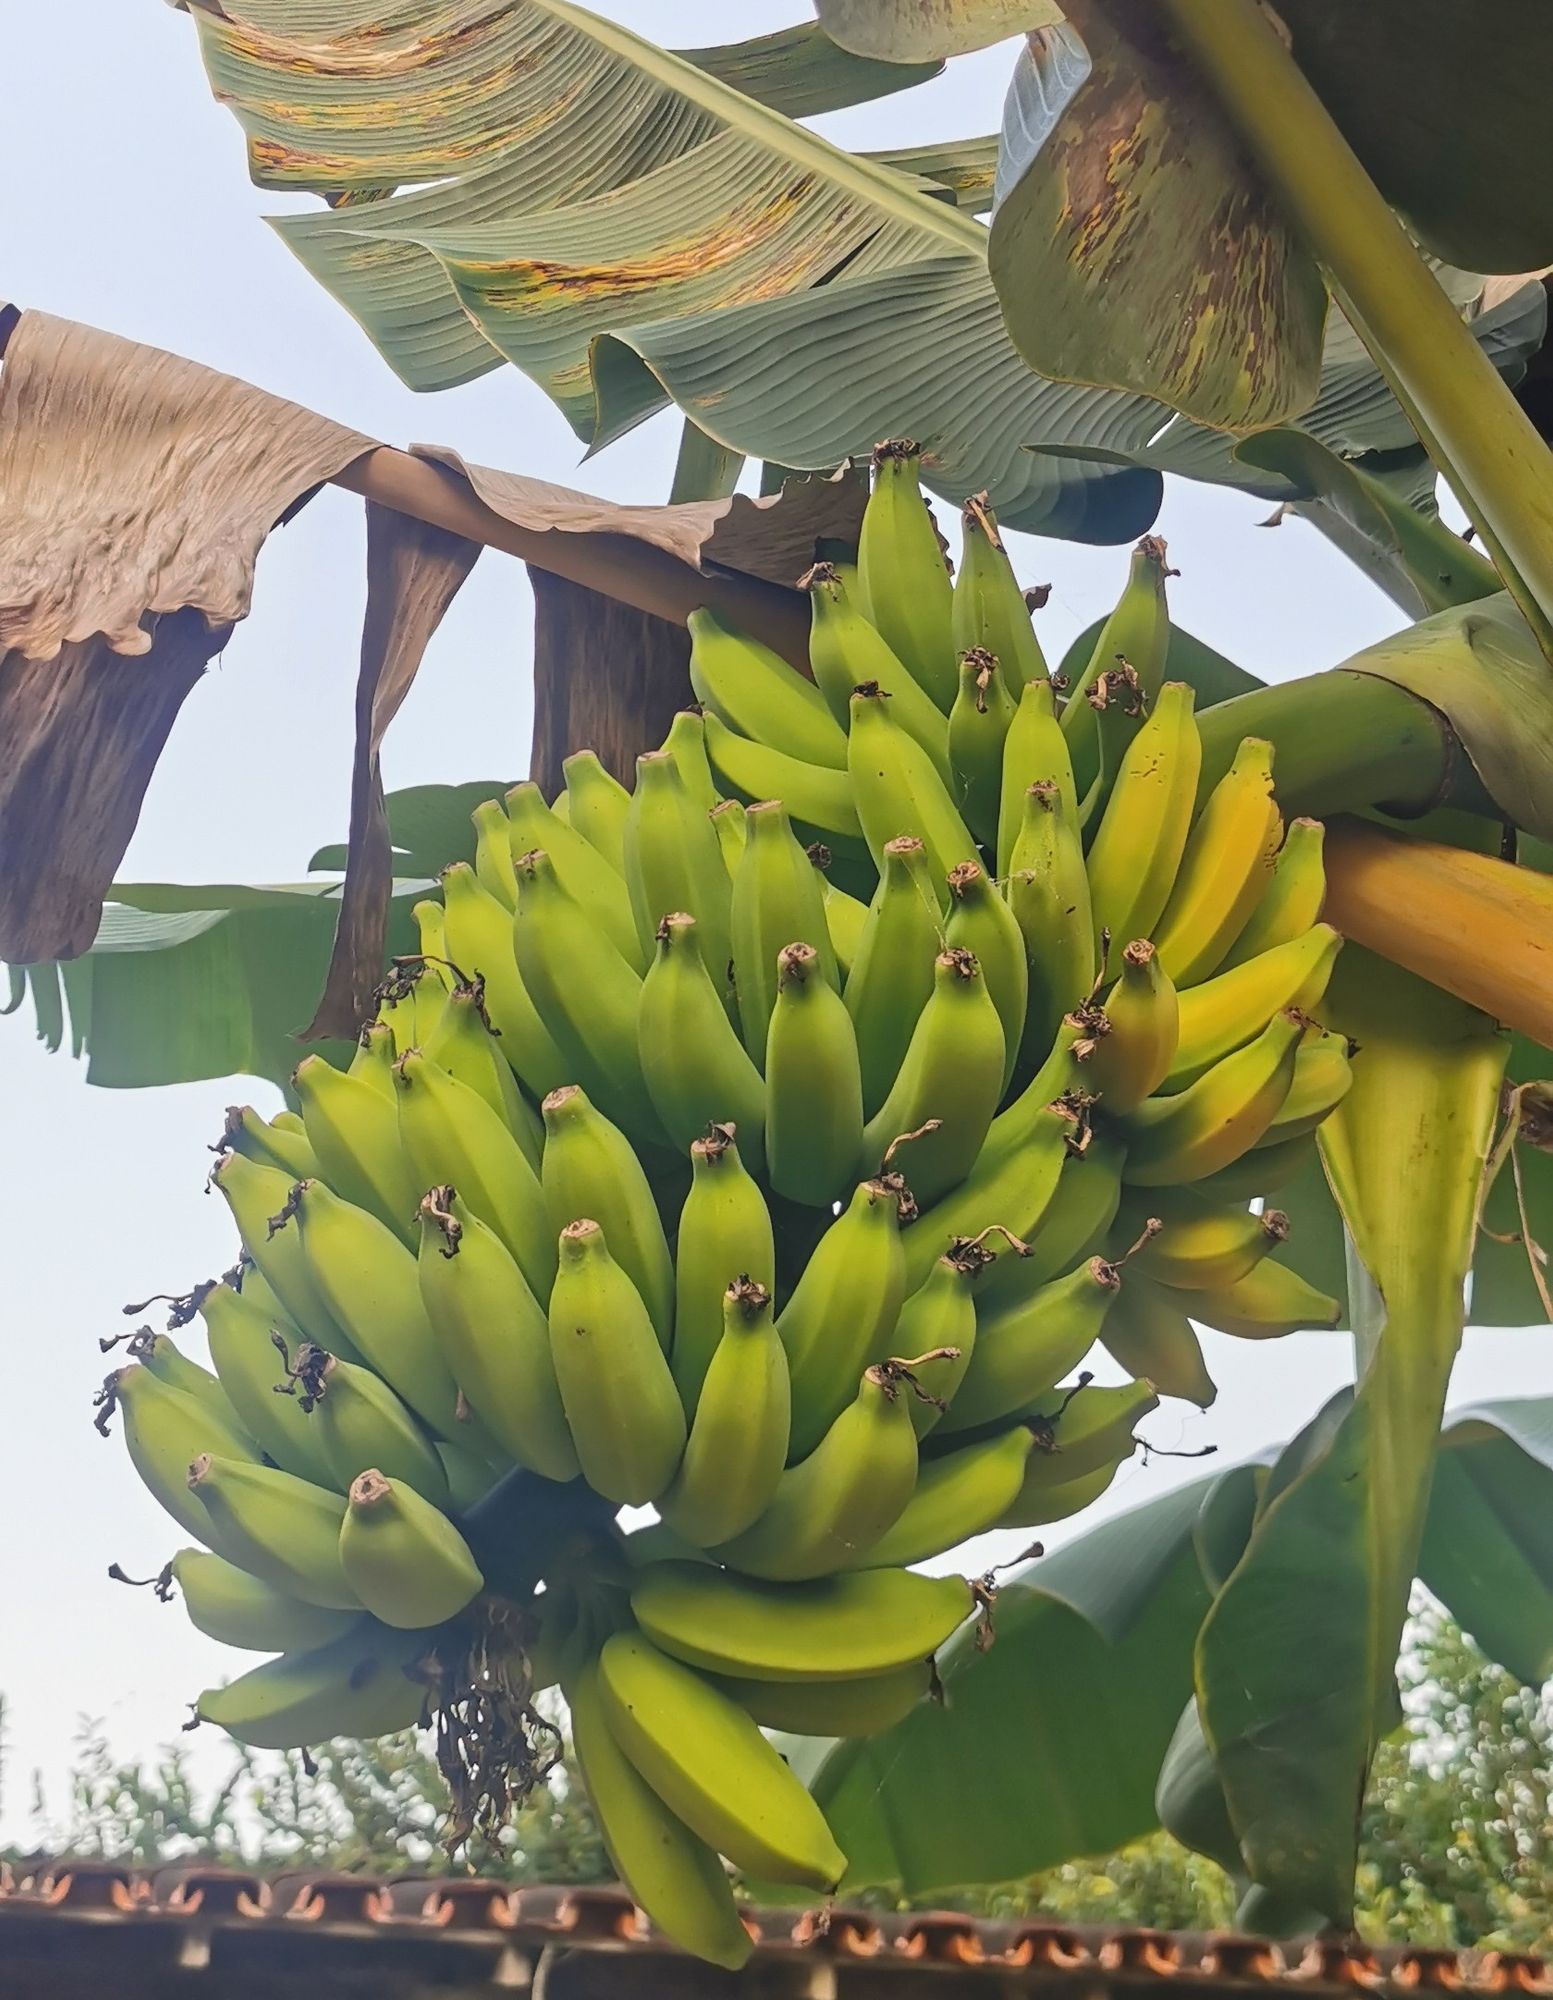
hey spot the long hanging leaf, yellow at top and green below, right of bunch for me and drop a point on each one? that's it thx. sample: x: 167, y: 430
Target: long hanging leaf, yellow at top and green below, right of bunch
x: 1294, y: 1725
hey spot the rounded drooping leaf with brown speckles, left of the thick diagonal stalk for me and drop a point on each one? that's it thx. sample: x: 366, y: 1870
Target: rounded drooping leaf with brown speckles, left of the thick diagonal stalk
x: 1130, y: 243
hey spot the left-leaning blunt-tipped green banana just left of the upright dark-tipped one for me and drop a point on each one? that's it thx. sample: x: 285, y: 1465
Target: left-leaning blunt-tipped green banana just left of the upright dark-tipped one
x: 591, y: 1169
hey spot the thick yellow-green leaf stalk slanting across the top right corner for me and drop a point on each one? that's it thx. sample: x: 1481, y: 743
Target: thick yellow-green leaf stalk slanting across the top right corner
x: 1472, y: 425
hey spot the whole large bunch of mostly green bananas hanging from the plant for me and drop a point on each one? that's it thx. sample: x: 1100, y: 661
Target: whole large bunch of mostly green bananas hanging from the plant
x: 769, y: 1147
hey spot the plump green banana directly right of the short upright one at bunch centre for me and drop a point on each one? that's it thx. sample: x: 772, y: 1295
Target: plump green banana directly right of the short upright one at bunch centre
x: 948, y: 1089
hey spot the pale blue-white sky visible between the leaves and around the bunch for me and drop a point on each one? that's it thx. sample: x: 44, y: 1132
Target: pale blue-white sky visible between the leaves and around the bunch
x: 139, y: 217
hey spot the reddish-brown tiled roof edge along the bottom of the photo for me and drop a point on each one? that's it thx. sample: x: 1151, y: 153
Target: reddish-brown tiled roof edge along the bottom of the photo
x: 191, y: 1931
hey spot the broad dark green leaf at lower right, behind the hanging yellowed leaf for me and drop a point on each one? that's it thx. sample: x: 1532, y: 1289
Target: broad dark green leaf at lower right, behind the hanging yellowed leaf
x: 1036, y: 1759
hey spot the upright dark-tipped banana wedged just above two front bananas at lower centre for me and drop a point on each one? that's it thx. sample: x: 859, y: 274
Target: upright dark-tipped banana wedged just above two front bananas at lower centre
x: 723, y: 1235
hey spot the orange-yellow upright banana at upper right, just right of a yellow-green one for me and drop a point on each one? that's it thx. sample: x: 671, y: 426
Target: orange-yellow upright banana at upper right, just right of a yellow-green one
x: 1226, y: 867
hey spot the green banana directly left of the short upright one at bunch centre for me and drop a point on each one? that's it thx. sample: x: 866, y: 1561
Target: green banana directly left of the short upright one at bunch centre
x: 697, y: 1069
